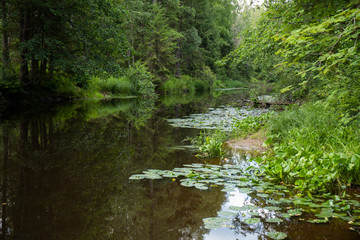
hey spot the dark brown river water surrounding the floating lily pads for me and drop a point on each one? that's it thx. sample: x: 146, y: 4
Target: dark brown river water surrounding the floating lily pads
x: 64, y: 174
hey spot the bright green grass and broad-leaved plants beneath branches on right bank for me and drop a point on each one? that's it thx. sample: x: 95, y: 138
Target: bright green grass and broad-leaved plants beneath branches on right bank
x: 314, y: 147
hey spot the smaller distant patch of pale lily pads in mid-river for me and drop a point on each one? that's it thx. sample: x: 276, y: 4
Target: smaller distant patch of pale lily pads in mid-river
x: 221, y: 118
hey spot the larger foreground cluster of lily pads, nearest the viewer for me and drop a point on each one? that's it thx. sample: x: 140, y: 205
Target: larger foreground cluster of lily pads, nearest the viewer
x: 248, y: 179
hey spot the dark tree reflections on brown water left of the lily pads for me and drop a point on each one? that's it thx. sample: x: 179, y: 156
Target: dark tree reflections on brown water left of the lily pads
x: 66, y: 178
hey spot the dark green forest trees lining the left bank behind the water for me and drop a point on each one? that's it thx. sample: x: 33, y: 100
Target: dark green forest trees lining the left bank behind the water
x: 60, y: 46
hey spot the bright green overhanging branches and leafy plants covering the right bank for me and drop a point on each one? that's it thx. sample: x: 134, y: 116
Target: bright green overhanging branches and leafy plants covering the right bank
x: 308, y: 51
